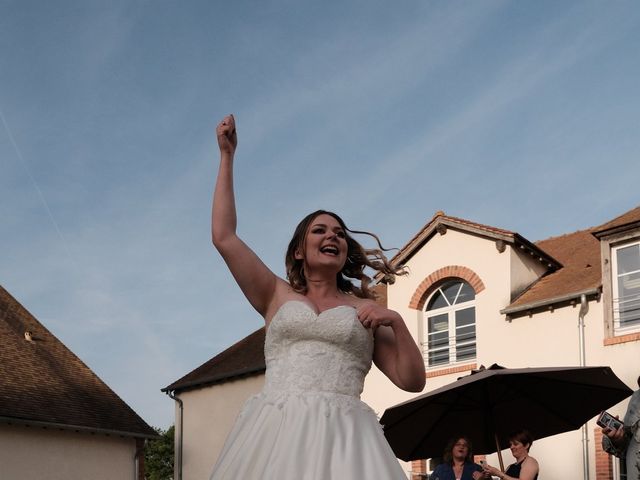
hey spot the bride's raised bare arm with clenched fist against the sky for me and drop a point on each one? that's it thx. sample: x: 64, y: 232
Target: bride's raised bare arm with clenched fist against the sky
x: 256, y: 281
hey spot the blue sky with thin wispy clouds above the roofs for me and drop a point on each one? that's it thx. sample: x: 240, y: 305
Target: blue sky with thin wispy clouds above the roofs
x: 520, y: 115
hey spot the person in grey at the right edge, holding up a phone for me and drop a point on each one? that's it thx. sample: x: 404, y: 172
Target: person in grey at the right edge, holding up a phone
x: 624, y: 442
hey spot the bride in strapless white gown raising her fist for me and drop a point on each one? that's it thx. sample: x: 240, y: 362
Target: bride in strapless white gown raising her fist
x: 323, y: 332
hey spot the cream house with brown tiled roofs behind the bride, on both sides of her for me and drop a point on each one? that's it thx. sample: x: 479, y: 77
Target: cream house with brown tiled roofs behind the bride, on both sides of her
x: 475, y: 295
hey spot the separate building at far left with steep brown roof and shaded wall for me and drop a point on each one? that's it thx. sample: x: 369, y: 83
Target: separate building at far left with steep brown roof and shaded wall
x: 58, y: 420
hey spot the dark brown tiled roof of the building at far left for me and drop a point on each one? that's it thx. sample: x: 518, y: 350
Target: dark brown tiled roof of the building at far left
x: 43, y: 382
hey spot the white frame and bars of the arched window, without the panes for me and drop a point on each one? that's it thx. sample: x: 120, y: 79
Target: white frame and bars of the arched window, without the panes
x: 450, y: 310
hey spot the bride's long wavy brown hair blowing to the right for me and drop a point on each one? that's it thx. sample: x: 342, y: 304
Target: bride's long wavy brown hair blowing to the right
x: 358, y: 258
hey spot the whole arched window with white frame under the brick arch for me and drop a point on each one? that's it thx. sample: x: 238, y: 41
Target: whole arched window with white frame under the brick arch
x: 450, y: 324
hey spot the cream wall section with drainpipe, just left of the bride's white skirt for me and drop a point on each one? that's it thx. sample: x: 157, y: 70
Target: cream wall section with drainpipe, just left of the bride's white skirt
x: 209, y: 415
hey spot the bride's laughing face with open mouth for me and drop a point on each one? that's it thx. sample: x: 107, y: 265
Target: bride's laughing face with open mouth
x: 324, y: 245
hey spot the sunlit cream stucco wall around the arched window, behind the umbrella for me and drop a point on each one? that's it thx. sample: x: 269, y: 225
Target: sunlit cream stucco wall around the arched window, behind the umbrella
x: 550, y: 338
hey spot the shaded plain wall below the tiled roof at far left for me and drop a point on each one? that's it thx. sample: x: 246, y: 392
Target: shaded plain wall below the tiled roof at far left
x: 34, y: 453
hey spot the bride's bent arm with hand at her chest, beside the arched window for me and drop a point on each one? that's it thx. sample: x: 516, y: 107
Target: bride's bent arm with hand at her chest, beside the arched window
x: 395, y: 352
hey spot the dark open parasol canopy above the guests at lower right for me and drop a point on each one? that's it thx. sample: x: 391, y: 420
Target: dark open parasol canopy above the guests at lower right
x: 489, y: 405
